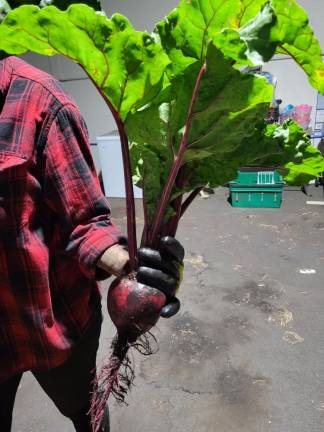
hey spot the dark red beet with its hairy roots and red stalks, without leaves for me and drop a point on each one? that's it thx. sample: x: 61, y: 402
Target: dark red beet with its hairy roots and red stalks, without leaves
x: 133, y: 307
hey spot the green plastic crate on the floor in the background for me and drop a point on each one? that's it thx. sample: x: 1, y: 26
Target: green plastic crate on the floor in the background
x: 258, y: 189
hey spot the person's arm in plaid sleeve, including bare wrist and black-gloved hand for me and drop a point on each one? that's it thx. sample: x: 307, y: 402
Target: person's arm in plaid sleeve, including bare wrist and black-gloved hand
x: 72, y: 191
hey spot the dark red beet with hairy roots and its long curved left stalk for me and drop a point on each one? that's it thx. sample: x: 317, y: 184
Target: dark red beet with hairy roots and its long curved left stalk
x: 133, y: 307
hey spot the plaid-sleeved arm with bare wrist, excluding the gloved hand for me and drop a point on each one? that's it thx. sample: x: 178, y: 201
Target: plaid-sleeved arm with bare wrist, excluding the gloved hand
x: 72, y: 191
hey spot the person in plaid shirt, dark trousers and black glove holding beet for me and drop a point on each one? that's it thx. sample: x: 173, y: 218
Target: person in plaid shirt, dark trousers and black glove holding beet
x: 56, y: 242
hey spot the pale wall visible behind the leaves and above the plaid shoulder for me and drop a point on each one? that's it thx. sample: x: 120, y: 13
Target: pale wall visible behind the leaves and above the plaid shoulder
x: 293, y: 86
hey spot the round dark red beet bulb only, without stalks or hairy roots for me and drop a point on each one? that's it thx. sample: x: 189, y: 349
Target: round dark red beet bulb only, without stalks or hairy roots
x: 133, y: 307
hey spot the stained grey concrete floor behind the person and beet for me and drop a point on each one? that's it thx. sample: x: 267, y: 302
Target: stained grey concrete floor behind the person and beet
x: 246, y: 352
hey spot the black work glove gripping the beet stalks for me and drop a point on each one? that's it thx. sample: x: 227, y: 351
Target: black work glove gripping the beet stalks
x: 162, y: 268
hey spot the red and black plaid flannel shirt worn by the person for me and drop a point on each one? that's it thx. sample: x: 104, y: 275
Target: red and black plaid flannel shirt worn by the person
x: 54, y: 221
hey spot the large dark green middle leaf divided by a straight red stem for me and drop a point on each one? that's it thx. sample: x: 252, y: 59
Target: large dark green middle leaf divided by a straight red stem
x: 228, y: 106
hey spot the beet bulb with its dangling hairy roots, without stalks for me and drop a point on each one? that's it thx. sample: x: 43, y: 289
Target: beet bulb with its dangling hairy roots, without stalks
x: 134, y: 309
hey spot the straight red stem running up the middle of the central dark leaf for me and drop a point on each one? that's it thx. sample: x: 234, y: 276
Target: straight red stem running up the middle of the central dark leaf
x: 158, y: 218
